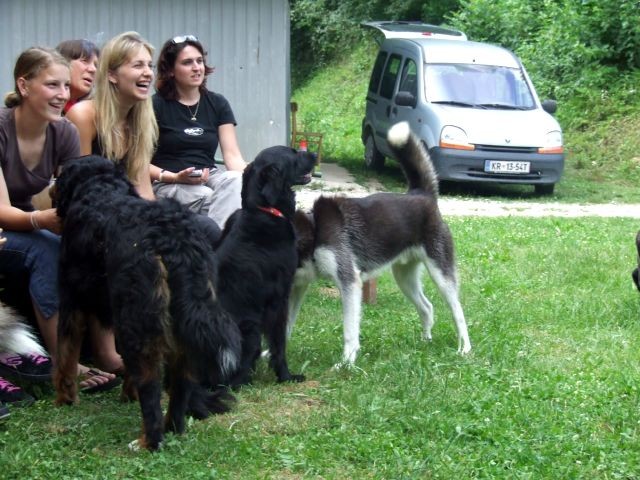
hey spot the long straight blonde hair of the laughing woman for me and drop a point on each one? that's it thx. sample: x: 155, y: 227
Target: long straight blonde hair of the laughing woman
x: 139, y: 142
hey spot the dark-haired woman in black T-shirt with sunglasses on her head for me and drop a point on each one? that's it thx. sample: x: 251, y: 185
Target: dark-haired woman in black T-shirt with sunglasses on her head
x: 192, y: 122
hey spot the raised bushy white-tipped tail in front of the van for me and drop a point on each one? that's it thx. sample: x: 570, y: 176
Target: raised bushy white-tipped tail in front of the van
x: 413, y: 158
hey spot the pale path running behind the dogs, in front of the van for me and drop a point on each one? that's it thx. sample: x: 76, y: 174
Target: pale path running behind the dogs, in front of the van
x: 336, y: 179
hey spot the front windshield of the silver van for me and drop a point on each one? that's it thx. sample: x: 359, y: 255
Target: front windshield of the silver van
x: 483, y: 86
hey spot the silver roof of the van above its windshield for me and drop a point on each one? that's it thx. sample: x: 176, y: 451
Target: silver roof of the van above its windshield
x: 448, y: 51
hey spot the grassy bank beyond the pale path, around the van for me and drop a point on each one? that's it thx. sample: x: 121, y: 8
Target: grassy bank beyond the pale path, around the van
x: 602, y: 160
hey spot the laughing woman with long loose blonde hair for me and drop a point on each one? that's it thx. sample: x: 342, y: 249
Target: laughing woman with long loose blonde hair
x: 118, y: 122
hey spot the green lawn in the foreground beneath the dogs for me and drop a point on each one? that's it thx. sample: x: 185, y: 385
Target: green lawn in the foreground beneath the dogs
x: 549, y: 391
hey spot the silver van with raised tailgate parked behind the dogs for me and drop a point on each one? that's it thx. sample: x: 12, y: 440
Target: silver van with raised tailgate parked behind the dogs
x: 472, y: 104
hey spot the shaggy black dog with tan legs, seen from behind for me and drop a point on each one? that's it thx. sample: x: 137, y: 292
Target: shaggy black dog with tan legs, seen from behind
x: 146, y: 270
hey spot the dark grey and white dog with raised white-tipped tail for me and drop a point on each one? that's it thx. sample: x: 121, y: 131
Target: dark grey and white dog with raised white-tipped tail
x: 351, y: 240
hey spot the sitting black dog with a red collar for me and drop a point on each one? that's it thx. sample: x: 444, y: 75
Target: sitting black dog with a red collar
x: 258, y: 253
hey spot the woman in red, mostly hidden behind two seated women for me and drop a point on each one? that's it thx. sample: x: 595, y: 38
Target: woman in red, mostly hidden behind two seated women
x: 83, y: 62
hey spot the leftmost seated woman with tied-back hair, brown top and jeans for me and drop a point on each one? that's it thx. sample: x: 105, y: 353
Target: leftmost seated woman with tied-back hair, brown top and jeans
x: 35, y: 141
